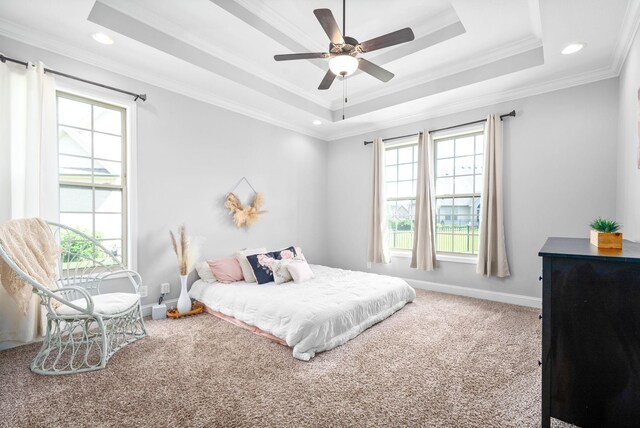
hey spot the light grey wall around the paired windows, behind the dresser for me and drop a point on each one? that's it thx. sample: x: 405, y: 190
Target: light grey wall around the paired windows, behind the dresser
x: 560, y: 172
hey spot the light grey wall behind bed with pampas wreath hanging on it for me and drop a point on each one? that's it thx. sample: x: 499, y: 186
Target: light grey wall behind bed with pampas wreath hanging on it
x: 189, y: 155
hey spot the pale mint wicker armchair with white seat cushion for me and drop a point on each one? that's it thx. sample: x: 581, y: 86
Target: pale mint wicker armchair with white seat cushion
x: 86, y: 327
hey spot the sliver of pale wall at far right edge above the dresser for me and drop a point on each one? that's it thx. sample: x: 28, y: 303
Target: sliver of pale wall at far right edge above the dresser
x: 628, y: 200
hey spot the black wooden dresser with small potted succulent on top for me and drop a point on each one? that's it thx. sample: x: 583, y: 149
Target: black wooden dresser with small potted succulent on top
x: 590, y: 334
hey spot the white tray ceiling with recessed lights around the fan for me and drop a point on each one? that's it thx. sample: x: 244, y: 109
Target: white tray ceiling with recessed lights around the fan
x: 467, y: 53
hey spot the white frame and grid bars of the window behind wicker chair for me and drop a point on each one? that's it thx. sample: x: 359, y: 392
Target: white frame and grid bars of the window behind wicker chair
x: 127, y: 110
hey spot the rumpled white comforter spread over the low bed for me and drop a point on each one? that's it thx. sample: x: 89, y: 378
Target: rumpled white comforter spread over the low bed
x: 312, y: 316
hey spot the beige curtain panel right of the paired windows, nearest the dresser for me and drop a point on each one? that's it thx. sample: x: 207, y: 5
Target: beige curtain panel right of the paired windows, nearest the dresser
x: 492, y: 253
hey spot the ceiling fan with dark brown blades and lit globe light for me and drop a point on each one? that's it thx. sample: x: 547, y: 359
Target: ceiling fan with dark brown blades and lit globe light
x: 343, y: 50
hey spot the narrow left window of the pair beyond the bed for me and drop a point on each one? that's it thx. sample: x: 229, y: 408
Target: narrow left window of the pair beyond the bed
x: 401, y: 175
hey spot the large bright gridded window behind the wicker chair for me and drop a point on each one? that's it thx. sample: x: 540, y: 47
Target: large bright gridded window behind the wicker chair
x: 92, y: 170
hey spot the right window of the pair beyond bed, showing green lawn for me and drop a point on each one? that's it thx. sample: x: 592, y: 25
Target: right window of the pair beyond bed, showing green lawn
x: 458, y: 185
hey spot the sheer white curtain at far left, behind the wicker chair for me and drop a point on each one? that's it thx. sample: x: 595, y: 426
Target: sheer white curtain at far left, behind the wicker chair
x: 29, y: 172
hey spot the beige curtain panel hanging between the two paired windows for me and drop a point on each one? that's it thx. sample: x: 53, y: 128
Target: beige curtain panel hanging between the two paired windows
x: 423, y: 256
